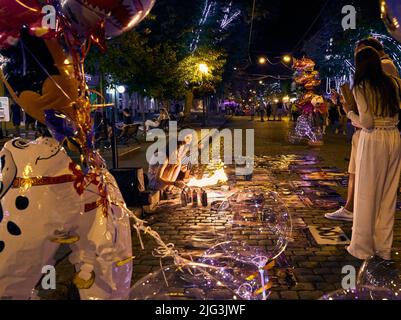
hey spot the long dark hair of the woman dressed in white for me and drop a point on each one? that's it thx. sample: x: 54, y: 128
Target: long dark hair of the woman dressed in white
x: 369, y: 71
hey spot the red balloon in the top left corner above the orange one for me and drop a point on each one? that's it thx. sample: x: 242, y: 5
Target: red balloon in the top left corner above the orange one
x: 16, y: 14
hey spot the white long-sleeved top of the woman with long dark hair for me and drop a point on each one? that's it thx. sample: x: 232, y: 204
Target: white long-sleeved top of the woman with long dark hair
x: 366, y: 119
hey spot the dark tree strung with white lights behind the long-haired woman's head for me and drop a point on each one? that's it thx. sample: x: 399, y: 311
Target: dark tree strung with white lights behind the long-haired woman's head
x: 333, y: 48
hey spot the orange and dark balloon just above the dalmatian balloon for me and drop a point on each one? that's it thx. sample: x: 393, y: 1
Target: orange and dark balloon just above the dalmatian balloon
x: 42, y: 76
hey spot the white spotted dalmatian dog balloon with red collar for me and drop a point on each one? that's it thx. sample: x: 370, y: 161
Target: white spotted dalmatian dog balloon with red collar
x: 43, y: 203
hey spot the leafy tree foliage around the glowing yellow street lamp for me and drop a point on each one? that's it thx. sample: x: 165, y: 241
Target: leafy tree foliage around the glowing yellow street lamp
x: 155, y: 58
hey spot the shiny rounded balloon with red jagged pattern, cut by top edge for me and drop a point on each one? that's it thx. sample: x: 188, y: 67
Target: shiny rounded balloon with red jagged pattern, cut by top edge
x: 109, y: 18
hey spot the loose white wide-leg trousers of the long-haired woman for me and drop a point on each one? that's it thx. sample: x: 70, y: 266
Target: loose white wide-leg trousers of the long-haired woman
x: 376, y: 185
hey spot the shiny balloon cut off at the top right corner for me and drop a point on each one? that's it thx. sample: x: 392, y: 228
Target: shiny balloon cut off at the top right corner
x: 391, y: 16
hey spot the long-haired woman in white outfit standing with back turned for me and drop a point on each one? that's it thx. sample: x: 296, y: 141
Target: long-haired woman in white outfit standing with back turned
x: 378, y: 157
